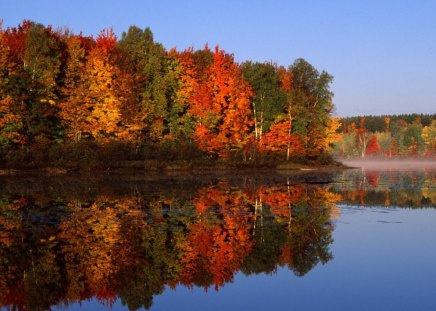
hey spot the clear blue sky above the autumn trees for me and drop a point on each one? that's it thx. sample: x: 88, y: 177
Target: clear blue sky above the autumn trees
x: 382, y: 53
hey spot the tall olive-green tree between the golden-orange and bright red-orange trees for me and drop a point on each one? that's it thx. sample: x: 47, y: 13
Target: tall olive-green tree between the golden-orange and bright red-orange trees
x: 155, y: 74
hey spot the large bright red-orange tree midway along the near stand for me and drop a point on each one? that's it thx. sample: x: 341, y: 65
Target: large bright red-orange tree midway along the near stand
x: 221, y: 107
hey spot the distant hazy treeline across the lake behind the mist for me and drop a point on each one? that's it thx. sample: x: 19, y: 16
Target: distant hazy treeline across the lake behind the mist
x: 412, y: 135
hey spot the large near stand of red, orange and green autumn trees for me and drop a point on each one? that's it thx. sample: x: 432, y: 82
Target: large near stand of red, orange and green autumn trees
x: 72, y: 97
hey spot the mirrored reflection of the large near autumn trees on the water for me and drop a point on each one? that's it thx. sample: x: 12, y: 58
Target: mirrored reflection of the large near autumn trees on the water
x: 64, y: 249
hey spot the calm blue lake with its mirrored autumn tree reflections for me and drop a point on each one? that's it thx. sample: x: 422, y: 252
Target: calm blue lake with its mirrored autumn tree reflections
x: 358, y: 239
